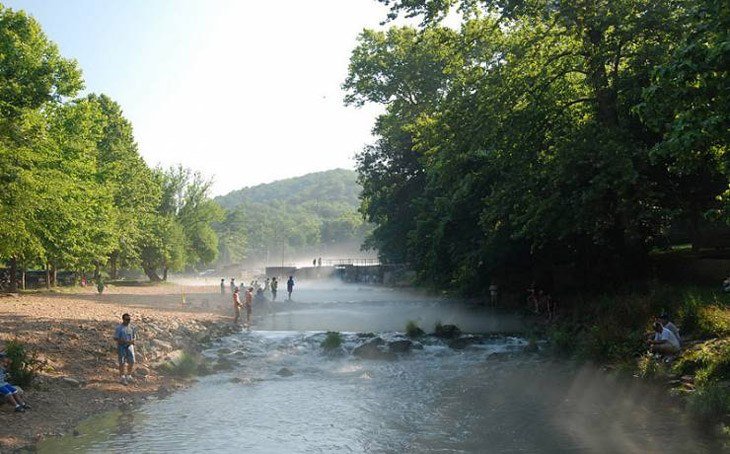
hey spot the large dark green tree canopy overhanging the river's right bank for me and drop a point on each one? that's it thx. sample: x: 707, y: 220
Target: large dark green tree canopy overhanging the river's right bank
x: 572, y: 138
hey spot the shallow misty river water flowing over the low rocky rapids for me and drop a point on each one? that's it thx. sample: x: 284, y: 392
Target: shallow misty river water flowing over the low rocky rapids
x: 486, y: 398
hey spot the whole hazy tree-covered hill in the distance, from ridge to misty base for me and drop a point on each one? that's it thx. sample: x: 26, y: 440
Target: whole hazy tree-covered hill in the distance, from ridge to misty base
x: 315, y: 213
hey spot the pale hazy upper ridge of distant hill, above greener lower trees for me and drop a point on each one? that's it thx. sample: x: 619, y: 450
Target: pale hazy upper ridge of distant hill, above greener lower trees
x: 338, y: 185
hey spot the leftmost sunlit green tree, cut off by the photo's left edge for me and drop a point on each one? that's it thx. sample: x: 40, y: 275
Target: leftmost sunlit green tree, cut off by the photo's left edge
x: 32, y: 75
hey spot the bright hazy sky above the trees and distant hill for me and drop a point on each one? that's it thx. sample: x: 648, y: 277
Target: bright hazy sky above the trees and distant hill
x: 246, y: 92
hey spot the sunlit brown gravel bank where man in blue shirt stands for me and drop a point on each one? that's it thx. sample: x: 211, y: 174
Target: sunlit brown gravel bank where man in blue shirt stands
x: 73, y: 333
